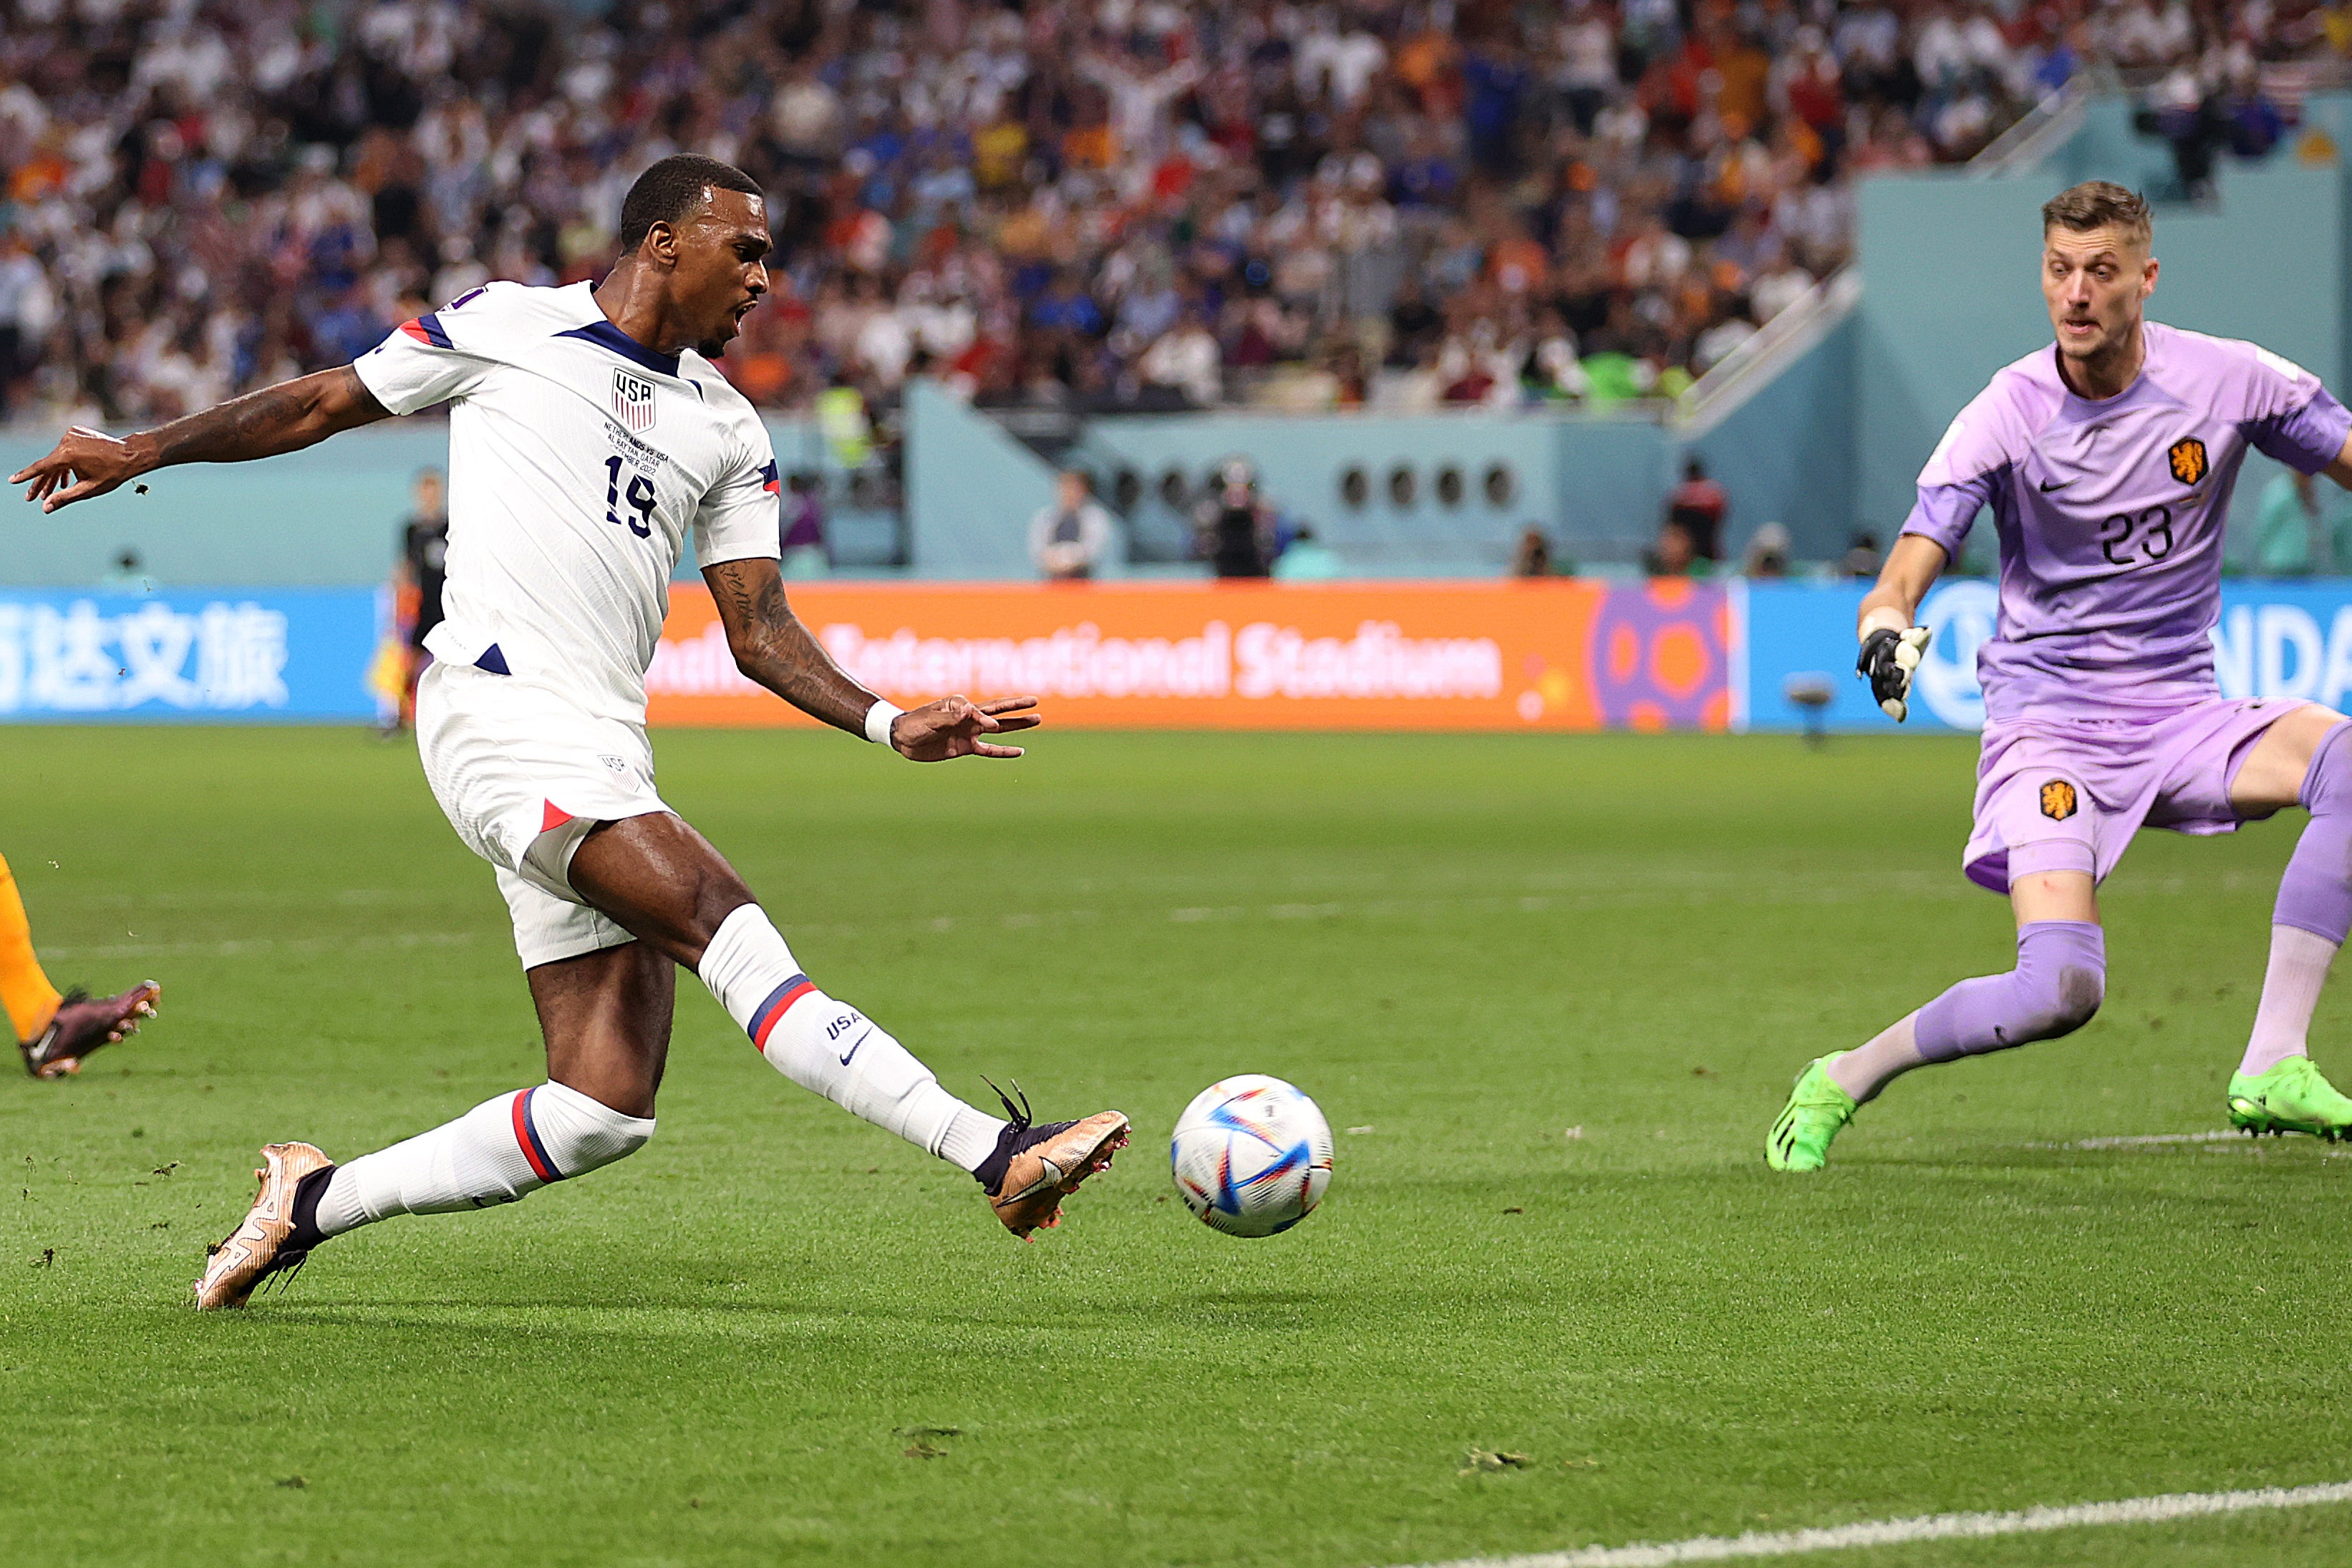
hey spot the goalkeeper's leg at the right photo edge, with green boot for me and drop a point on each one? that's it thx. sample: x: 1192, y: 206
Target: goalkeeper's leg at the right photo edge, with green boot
x: 2306, y: 758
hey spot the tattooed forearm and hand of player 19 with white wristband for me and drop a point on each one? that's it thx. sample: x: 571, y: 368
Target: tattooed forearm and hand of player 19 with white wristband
x: 775, y: 650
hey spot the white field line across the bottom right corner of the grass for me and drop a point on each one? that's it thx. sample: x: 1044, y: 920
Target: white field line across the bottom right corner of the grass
x: 1930, y: 1527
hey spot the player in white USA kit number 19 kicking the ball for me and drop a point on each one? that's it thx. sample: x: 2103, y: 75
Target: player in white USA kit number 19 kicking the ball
x: 589, y: 436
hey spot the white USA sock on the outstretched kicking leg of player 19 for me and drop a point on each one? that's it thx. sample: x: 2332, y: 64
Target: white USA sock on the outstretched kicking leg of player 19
x: 834, y: 1050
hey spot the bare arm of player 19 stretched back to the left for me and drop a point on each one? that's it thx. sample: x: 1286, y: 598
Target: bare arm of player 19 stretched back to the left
x: 283, y: 417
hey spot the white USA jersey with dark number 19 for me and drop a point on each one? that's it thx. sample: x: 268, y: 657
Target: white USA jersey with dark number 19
x: 577, y: 464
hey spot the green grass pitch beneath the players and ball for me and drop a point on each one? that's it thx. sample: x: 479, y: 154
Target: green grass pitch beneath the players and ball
x: 1549, y: 991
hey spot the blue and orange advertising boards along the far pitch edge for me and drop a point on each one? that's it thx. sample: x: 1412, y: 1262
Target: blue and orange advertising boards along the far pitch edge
x: 1561, y: 655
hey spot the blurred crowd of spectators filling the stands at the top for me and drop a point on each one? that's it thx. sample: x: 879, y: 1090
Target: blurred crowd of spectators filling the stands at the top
x: 1078, y: 203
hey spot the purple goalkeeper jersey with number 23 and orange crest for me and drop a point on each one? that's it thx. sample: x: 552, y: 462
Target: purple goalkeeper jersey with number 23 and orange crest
x: 2111, y: 516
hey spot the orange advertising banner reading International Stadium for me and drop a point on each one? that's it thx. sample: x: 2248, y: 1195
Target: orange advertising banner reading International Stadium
x: 1546, y: 655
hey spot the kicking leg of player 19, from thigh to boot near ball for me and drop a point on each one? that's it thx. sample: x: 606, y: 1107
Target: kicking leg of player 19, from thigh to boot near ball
x: 664, y: 883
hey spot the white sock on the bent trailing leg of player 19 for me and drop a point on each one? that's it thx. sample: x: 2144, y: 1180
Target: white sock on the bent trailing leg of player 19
x: 493, y: 1155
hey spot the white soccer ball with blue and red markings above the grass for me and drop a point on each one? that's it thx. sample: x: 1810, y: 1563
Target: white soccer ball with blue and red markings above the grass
x: 1252, y: 1155
